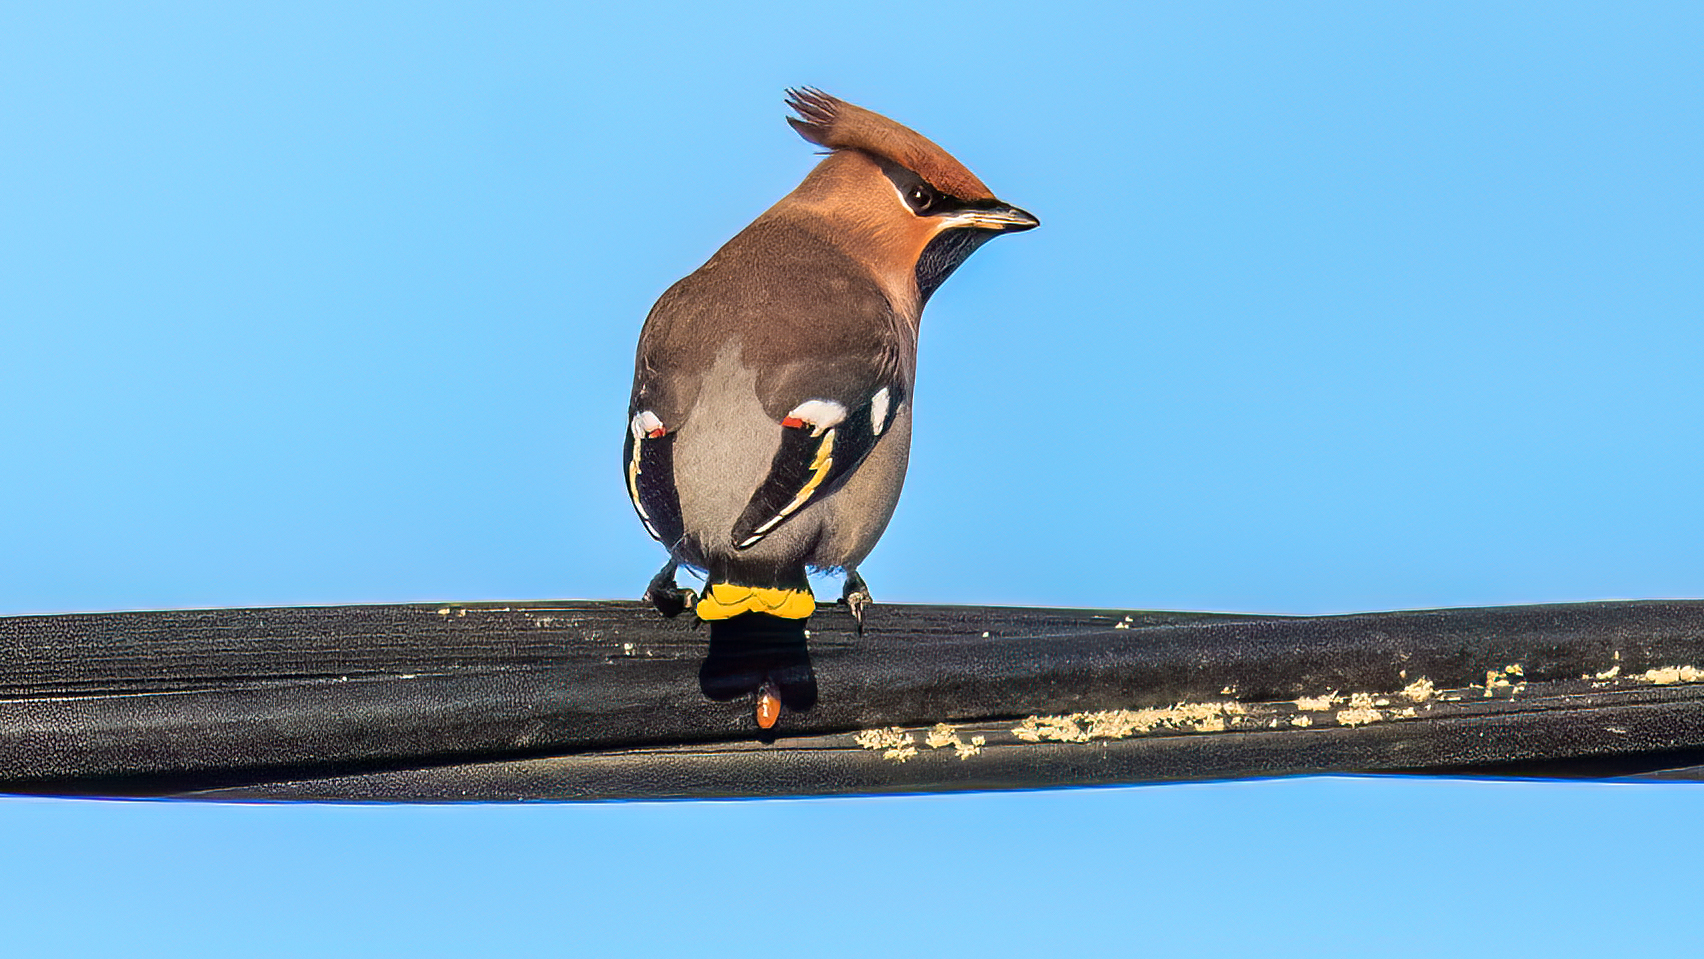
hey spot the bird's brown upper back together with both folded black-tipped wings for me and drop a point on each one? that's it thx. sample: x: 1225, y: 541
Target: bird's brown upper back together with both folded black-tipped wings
x: 831, y: 357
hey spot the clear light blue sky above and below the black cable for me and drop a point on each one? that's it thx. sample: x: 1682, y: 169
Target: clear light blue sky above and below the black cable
x: 1335, y: 307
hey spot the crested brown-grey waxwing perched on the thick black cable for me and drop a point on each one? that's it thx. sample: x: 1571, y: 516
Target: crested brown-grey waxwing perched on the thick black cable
x: 771, y: 416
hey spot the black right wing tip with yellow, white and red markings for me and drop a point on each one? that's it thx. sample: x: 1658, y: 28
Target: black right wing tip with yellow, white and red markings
x: 822, y: 442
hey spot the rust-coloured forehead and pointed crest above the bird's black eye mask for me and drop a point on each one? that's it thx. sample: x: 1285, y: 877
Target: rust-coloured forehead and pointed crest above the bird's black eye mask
x: 834, y: 123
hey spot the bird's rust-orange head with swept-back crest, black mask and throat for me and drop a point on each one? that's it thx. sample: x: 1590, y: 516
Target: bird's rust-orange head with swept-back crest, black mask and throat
x: 899, y: 200
